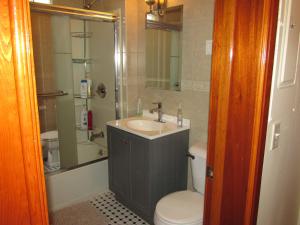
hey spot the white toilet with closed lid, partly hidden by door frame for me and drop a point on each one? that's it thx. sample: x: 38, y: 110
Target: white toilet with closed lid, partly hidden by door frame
x: 185, y: 207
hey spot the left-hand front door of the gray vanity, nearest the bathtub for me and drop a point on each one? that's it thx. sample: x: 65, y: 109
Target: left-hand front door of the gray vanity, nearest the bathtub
x: 119, y: 162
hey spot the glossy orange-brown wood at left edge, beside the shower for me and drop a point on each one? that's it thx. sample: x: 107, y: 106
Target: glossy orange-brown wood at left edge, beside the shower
x: 22, y: 186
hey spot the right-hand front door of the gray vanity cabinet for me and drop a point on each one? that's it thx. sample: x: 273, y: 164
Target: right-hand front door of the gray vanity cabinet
x: 139, y: 172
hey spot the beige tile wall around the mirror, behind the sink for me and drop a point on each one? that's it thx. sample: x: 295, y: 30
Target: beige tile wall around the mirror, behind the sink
x: 194, y: 97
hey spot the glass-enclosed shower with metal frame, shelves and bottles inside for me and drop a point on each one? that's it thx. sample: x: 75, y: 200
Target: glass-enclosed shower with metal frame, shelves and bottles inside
x: 75, y: 51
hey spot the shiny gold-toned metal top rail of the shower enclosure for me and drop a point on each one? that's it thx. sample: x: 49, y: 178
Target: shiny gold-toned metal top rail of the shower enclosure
x: 88, y: 14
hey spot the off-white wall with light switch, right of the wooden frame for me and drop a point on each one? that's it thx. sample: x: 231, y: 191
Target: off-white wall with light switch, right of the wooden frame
x: 280, y: 190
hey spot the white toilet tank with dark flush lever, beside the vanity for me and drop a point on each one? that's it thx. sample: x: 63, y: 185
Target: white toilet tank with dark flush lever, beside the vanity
x: 199, y: 166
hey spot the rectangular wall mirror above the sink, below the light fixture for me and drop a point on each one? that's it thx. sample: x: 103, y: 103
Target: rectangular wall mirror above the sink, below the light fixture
x: 164, y: 49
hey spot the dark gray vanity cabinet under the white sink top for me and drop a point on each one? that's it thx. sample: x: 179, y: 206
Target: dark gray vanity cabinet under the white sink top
x: 142, y: 171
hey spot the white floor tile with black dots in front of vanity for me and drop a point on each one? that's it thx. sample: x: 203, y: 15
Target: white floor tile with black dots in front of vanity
x: 114, y: 211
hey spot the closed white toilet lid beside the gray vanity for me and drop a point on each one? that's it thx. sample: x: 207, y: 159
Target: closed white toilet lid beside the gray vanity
x: 184, y: 207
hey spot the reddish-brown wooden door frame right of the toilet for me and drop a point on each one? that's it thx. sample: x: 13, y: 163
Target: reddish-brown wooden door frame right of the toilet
x: 242, y: 63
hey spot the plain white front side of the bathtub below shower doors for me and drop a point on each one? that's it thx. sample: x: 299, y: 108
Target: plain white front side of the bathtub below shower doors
x: 76, y: 185
